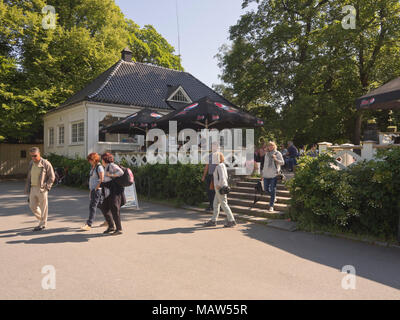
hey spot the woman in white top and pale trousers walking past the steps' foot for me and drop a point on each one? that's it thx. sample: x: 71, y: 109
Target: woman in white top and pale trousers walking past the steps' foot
x: 220, y: 176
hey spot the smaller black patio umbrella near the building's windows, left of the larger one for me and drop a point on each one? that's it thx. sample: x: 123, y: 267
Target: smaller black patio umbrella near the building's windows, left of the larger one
x: 137, y: 123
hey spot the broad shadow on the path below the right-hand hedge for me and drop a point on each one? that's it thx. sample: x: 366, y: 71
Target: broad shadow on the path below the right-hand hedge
x: 380, y: 264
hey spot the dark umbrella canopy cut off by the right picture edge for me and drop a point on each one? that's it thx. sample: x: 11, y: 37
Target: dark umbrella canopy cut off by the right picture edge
x: 384, y: 97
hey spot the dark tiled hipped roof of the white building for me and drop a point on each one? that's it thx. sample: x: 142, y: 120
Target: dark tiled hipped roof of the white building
x: 140, y: 84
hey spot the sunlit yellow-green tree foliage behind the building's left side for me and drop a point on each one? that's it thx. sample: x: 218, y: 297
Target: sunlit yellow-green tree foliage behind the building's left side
x: 41, y: 67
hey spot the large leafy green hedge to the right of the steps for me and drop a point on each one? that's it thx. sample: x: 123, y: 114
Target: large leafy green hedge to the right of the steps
x: 364, y: 199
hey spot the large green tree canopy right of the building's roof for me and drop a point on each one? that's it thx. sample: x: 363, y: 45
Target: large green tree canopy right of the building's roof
x: 294, y: 63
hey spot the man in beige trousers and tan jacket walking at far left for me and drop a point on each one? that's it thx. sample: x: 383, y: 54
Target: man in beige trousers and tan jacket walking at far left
x: 38, y: 183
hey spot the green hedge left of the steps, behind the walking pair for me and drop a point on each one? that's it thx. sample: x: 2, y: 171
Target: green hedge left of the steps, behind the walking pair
x: 181, y: 182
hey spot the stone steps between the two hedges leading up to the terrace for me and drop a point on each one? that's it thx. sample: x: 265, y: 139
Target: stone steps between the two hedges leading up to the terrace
x: 241, y: 201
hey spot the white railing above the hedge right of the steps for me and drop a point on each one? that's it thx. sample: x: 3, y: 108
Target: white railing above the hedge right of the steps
x: 345, y: 156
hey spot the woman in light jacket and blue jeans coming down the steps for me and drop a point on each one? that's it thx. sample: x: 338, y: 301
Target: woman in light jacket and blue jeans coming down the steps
x: 271, y: 167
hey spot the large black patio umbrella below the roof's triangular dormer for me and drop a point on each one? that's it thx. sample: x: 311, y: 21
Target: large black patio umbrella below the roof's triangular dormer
x: 209, y: 114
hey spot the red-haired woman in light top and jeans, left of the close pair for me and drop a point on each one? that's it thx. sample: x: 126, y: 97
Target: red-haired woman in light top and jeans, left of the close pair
x: 95, y: 180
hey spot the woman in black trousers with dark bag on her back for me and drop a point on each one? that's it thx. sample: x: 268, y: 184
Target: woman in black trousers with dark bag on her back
x: 114, y: 195
